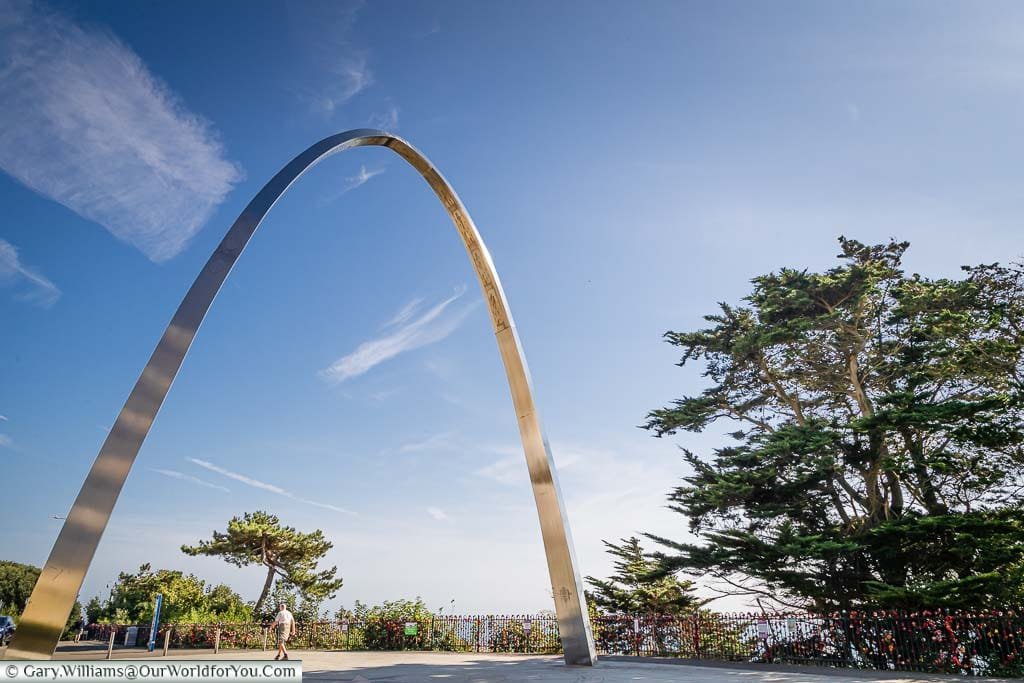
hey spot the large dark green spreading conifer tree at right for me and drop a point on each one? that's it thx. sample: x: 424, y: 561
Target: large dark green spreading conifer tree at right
x: 879, y: 437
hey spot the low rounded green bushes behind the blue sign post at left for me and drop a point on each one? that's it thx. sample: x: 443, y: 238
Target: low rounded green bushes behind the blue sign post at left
x: 187, y: 601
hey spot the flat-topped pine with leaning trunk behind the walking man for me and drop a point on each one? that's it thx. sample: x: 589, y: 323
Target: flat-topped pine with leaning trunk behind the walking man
x: 260, y: 538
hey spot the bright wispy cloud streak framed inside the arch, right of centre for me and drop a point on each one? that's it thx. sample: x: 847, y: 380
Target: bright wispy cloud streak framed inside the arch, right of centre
x: 434, y: 326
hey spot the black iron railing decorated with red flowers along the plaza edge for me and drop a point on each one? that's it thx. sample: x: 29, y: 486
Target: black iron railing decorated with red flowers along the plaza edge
x: 979, y: 644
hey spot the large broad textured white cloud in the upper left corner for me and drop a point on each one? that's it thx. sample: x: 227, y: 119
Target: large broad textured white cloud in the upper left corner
x: 84, y: 123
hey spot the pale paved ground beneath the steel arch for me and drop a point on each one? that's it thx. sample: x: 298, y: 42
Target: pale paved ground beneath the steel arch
x: 488, y: 668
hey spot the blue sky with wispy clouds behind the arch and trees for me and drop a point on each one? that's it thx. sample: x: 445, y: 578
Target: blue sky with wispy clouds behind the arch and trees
x: 629, y: 165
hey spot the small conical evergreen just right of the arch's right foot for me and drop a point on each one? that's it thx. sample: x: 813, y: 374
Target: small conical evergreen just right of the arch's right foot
x: 638, y: 587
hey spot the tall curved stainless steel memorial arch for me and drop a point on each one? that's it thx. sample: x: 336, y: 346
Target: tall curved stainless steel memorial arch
x: 62, y: 578
